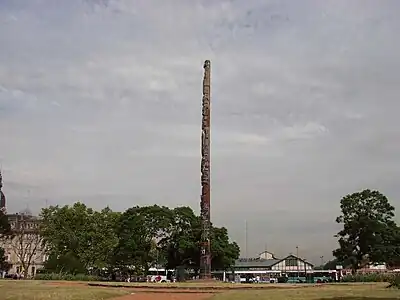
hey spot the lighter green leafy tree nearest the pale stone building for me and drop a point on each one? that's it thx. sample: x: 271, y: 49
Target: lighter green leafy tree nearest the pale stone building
x: 80, y: 234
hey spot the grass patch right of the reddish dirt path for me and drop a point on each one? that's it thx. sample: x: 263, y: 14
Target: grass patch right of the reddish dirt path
x: 323, y: 292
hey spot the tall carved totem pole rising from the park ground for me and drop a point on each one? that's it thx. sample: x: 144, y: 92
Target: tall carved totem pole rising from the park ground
x: 205, y: 259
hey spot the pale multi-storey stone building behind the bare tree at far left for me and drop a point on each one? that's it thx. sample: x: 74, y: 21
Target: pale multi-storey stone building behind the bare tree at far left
x: 24, y: 252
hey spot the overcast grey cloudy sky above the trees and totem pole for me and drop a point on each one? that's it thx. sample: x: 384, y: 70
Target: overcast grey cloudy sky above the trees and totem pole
x: 100, y: 102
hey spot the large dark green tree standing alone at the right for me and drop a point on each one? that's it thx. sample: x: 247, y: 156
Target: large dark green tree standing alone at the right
x: 368, y: 229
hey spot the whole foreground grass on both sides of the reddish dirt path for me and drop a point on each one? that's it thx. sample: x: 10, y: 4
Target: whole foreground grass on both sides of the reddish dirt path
x: 36, y: 290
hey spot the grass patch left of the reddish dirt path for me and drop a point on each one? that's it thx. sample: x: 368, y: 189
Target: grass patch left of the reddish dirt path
x: 36, y: 290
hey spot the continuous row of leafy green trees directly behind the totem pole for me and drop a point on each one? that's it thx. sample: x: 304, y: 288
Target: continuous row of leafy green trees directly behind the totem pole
x: 78, y: 238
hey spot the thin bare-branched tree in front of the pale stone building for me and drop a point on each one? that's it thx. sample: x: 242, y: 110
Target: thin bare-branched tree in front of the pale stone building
x: 25, y: 241
